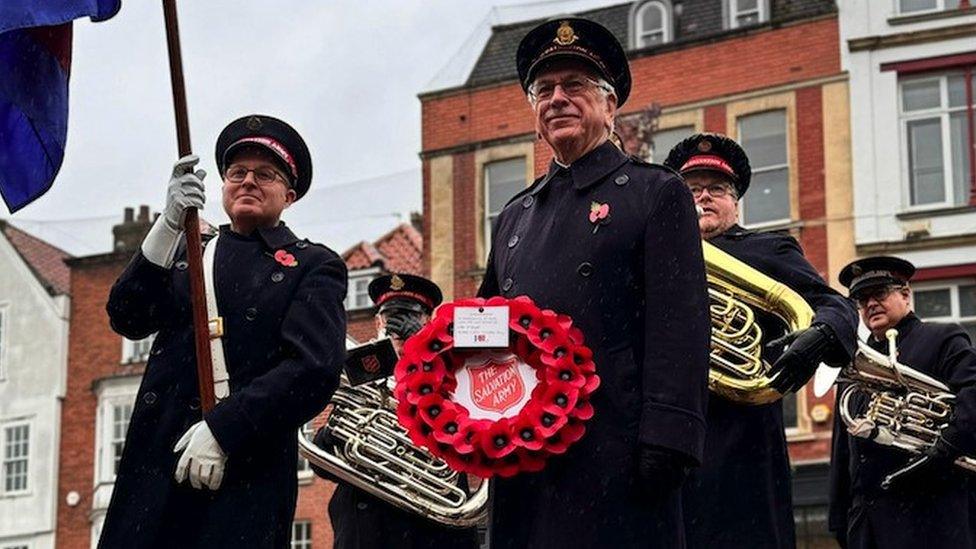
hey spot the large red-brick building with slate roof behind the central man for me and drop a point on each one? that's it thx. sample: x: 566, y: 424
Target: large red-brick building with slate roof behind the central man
x: 766, y: 72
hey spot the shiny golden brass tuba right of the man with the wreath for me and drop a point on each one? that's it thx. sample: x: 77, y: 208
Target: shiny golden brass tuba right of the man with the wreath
x: 735, y: 291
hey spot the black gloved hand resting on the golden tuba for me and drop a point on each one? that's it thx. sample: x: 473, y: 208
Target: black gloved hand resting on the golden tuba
x: 805, y: 350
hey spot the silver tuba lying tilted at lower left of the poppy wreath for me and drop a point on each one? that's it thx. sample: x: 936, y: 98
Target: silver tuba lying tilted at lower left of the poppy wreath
x: 373, y: 453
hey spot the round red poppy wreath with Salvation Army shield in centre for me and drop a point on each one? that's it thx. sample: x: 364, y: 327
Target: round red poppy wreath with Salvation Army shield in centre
x: 497, y: 411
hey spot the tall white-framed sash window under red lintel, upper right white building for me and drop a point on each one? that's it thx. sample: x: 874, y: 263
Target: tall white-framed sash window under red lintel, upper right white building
x: 943, y: 113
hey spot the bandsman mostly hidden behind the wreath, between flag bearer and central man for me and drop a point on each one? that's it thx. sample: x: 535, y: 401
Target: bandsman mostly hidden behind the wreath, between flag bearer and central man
x: 359, y: 520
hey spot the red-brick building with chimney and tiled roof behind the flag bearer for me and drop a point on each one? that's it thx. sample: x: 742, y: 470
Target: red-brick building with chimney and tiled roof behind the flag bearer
x: 104, y: 371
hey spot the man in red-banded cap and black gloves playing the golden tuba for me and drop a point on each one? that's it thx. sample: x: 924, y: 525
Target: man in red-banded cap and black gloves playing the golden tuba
x: 741, y: 495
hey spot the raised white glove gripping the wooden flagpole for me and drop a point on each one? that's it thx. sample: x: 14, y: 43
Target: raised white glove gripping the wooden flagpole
x: 185, y: 191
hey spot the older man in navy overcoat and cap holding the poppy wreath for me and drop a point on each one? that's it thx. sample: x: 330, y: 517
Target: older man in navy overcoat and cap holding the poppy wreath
x: 612, y: 242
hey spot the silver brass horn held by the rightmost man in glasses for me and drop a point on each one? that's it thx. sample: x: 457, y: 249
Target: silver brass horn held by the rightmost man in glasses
x: 895, y: 405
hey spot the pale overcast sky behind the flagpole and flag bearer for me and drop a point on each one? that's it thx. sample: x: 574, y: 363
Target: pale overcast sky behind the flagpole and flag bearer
x: 346, y: 73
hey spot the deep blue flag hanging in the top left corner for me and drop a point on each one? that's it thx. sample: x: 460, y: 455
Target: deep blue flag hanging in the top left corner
x: 35, y: 61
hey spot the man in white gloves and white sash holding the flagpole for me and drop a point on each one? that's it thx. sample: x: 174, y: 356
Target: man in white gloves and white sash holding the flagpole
x: 227, y: 477
